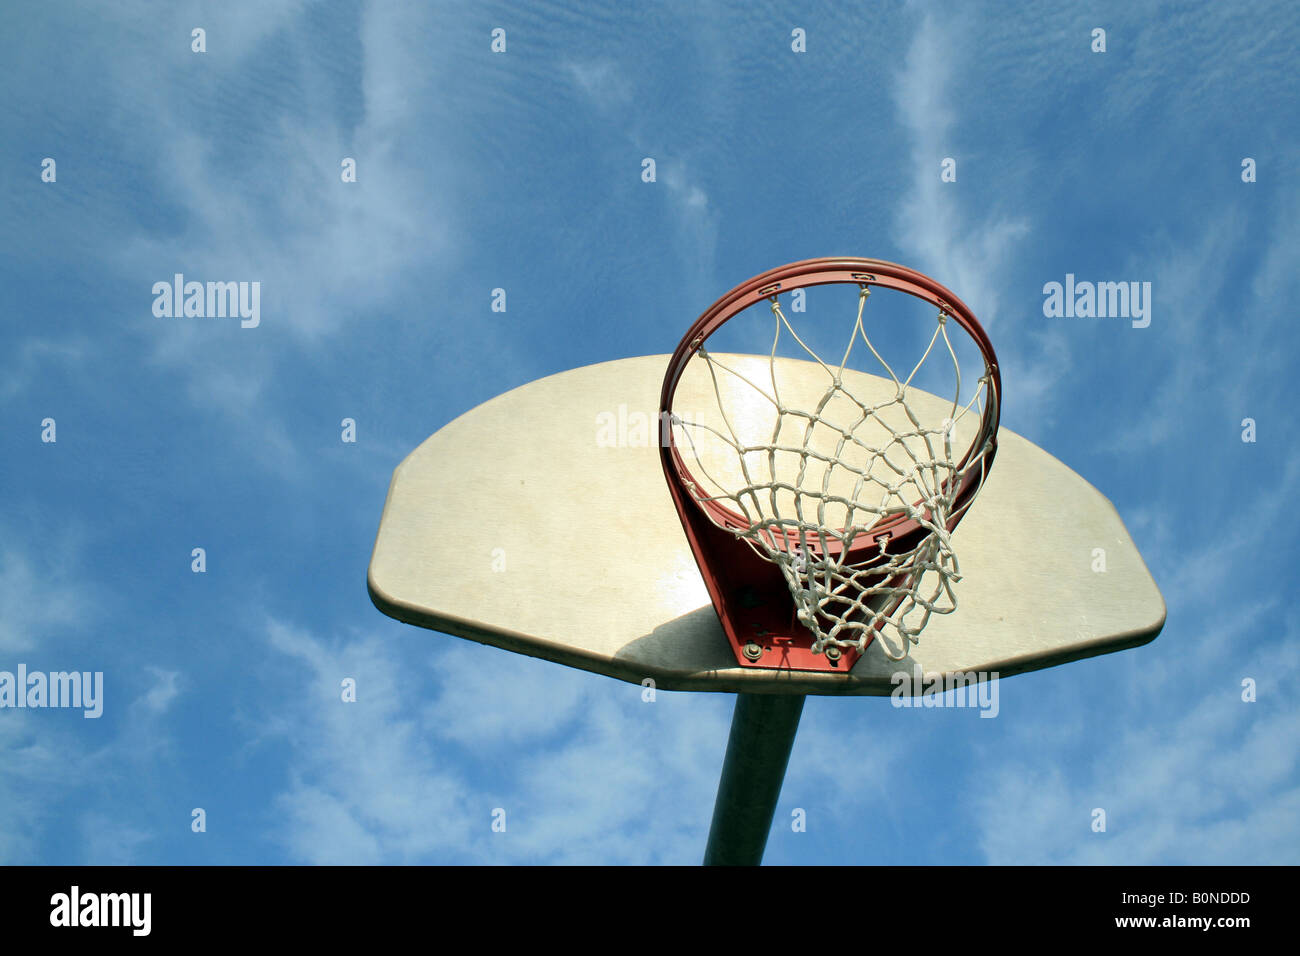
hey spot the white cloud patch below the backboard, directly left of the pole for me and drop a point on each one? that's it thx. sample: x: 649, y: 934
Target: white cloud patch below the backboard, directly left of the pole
x: 606, y: 777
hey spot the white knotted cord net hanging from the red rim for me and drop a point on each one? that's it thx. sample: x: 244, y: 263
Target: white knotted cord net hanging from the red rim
x: 915, y: 473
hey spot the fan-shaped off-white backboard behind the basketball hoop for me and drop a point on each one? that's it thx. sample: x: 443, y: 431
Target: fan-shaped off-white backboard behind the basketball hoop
x: 541, y: 524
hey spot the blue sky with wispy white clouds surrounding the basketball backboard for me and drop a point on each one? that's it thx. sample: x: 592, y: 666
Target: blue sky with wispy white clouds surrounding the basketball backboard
x: 523, y: 171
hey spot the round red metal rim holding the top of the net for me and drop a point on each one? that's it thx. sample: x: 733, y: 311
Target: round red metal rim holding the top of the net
x: 902, y: 531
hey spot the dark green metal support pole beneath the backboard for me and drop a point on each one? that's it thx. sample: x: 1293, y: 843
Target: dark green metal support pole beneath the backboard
x: 764, y: 729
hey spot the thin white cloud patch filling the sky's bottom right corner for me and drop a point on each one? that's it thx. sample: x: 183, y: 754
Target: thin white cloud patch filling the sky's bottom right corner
x: 1210, y: 782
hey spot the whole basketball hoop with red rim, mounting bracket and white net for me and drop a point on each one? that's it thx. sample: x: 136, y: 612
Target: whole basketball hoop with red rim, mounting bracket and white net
x: 794, y: 587
